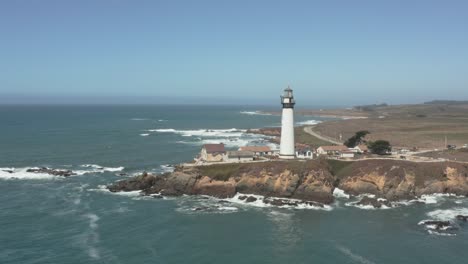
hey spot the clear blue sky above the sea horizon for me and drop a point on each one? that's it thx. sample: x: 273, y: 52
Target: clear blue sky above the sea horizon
x: 240, y: 52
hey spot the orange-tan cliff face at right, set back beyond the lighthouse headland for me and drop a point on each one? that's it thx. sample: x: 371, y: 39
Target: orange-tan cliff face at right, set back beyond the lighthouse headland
x: 396, y: 180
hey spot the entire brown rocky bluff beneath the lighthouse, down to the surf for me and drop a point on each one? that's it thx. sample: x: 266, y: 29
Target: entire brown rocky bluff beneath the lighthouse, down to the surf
x: 313, y: 180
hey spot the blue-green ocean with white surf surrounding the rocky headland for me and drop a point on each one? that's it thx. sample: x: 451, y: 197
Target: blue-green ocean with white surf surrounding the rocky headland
x: 51, y: 219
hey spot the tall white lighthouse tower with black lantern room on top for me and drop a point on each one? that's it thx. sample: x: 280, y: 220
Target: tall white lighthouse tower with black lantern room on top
x: 287, y: 150
